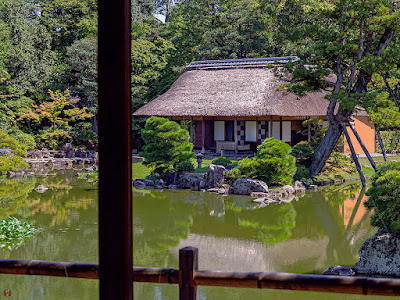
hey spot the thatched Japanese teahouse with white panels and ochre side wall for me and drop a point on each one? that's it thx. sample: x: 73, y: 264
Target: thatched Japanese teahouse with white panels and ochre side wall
x: 236, y: 104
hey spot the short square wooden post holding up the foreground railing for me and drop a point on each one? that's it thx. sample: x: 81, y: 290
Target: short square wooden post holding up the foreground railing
x: 188, y: 264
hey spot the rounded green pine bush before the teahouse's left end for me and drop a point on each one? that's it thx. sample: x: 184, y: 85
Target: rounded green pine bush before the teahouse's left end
x: 166, y: 144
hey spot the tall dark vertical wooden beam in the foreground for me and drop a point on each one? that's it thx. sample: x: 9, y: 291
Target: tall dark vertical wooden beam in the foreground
x: 115, y: 177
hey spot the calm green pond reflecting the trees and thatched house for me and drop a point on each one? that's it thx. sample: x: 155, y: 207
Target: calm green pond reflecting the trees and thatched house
x: 306, y: 236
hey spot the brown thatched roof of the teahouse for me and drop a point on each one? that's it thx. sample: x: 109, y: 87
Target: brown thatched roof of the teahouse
x: 234, y: 90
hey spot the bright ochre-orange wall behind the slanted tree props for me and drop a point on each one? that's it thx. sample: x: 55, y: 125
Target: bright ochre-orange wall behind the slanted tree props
x: 366, y: 130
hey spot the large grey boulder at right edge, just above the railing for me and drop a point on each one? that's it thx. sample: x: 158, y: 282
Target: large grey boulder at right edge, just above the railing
x: 380, y: 254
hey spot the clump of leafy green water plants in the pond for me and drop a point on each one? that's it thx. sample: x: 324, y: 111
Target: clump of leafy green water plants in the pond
x: 13, y: 233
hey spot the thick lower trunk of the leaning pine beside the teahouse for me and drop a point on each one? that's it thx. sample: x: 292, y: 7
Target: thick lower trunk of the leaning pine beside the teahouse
x: 325, y: 148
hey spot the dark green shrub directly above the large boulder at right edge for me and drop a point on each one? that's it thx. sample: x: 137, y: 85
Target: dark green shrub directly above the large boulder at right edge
x: 384, y: 197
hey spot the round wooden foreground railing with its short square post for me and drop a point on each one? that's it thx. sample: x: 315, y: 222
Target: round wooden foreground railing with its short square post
x: 188, y: 277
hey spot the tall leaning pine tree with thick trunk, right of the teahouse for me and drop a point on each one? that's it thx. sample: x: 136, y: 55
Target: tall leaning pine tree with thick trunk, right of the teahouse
x: 354, y: 40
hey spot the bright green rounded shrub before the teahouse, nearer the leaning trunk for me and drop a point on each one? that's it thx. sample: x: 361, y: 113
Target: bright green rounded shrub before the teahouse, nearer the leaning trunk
x: 273, y: 163
